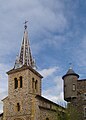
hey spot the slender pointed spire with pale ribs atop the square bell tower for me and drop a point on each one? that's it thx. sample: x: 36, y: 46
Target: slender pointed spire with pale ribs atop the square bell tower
x: 25, y: 57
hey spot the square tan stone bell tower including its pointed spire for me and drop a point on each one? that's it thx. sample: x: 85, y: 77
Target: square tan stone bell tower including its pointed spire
x: 24, y: 83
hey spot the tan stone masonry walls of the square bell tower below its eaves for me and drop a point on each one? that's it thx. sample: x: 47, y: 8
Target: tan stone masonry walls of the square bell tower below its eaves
x: 24, y: 96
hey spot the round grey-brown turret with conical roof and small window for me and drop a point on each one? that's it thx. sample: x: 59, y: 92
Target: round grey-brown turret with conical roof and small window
x: 70, y: 85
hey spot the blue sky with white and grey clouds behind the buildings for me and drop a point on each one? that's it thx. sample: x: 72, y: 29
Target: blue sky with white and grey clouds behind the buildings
x: 57, y: 34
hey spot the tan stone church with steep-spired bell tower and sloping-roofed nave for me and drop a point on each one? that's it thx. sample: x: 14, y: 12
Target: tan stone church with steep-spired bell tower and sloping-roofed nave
x: 24, y: 100
